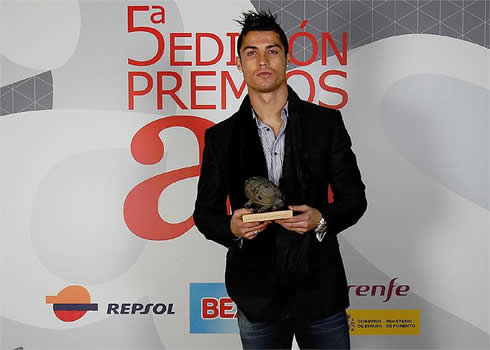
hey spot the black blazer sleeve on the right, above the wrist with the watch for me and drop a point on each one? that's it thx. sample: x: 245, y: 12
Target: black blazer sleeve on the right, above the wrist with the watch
x: 345, y: 180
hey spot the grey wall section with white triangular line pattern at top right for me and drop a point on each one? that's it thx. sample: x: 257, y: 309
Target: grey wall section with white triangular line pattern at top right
x: 366, y: 21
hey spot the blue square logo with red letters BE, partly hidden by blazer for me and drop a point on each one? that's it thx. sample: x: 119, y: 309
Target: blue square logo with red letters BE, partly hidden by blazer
x: 211, y: 309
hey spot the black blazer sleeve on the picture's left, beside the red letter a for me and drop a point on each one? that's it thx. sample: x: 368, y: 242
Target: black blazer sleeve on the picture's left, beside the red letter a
x: 210, y: 213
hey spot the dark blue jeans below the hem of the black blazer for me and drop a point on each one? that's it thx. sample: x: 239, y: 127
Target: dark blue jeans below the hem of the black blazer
x: 328, y: 333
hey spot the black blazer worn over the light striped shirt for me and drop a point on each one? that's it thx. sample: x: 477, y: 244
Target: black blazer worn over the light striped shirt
x: 317, y: 154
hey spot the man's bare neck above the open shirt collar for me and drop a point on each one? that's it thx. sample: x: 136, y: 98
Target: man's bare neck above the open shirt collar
x: 268, y: 105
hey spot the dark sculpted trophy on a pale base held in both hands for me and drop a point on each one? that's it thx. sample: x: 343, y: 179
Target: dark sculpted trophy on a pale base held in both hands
x: 265, y: 199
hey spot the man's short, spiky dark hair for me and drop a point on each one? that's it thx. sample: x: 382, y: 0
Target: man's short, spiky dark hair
x: 260, y: 21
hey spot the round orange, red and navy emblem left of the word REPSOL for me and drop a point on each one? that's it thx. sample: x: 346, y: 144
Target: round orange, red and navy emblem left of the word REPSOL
x: 71, y: 303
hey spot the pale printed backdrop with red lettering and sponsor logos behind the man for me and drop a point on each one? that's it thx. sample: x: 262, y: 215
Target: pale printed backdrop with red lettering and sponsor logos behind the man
x: 103, y: 108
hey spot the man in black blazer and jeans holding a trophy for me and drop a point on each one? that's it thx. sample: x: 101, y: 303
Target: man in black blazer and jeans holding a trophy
x: 286, y: 276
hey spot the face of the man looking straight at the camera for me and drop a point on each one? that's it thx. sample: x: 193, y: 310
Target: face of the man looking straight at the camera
x: 263, y: 61
